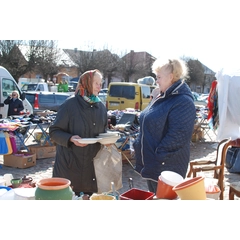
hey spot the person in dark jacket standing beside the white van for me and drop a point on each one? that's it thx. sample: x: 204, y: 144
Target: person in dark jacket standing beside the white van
x: 15, y: 104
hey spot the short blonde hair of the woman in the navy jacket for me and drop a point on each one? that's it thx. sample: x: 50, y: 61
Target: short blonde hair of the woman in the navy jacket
x: 177, y: 67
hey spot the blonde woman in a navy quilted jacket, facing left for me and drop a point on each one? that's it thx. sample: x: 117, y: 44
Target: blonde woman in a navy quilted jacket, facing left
x: 166, y: 125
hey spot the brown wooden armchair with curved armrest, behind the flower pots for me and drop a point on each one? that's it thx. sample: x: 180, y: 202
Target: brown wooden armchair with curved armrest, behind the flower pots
x: 217, y: 165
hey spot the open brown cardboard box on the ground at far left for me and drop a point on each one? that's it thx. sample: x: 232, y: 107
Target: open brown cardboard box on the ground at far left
x: 20, y: 160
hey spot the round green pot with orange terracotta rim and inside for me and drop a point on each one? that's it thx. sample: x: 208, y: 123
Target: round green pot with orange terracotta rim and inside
x: 54, y: 189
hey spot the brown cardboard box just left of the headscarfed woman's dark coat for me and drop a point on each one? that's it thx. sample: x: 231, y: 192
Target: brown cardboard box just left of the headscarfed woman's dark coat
x: 46, y: 151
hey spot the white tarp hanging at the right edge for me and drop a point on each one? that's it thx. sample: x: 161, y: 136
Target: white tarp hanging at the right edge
x: 228, y: 105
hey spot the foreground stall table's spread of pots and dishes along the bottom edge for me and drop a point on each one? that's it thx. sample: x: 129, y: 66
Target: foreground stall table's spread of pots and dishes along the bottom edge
x: 171, y: 186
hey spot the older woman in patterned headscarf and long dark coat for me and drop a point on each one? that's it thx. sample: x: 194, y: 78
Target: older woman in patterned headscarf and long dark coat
x: 81, y: 116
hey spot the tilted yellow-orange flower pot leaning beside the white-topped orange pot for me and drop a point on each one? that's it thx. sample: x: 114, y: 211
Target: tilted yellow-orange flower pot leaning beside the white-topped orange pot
x: 191, y: 189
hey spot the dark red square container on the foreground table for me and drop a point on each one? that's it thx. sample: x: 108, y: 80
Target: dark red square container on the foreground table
x: 136, y: 194
